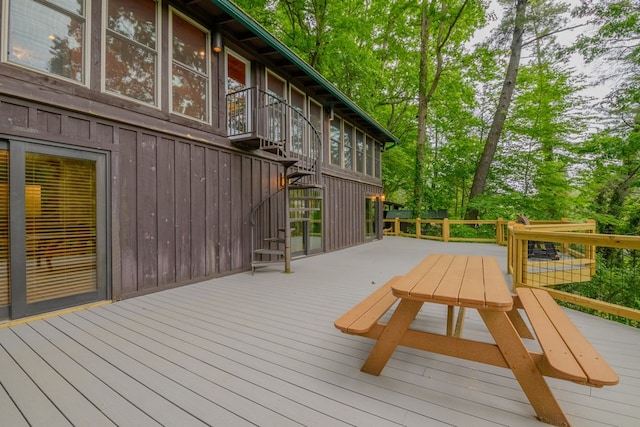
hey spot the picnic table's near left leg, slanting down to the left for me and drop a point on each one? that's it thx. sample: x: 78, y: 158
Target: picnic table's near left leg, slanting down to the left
x: 386, y: 344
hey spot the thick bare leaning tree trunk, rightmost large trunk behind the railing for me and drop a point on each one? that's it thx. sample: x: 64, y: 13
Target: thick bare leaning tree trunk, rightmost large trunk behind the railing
x: 491, y: 144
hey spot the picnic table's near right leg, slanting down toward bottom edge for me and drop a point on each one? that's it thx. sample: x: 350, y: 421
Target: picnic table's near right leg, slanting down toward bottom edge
x: 524, y: 368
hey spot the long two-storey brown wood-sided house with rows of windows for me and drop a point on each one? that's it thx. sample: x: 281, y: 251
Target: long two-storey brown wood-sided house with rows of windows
x: 151, y: 144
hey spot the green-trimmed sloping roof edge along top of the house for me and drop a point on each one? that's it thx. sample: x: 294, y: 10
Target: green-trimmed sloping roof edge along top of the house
x: 255, y: 27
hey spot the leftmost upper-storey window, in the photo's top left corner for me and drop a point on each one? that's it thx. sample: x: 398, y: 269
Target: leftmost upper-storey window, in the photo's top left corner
x: 48, y: 36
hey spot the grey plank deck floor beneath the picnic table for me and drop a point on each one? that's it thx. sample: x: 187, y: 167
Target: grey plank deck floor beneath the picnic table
x: 262, y: 350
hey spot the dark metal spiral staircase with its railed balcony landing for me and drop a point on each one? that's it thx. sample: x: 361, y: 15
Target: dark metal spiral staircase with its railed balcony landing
x: 259, y: 120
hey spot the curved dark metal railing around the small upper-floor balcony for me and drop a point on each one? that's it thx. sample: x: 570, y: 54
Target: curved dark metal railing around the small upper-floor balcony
x: 257, y: 119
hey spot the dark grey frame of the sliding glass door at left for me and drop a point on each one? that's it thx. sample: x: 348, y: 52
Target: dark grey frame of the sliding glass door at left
x: 17, y: 227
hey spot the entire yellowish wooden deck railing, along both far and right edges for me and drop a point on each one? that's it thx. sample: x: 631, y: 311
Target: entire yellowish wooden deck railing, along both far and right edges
x: 591, y: 272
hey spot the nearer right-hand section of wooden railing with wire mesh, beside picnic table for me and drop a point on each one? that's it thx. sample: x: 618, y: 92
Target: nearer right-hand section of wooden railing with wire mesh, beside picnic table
x: 595, y: 272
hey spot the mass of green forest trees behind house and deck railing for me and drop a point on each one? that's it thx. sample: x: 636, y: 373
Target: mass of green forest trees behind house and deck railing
x: 561, y: 147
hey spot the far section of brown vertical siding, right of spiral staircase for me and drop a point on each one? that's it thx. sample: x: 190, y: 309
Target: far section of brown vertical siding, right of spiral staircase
x: 345, y: 211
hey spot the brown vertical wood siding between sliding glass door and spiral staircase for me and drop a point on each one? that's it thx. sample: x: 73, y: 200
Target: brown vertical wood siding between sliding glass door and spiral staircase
x: 179, y: 209
